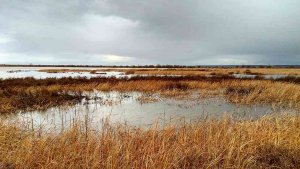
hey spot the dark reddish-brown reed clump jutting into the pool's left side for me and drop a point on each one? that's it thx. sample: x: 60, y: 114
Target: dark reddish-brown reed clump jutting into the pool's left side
x: 37, y: 98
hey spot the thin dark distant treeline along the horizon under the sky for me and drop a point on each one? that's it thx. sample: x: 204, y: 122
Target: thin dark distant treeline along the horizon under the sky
x: 157, y: 66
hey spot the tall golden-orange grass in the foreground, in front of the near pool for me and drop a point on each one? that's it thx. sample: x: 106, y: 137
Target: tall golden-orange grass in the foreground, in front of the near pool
x: 270, y: 142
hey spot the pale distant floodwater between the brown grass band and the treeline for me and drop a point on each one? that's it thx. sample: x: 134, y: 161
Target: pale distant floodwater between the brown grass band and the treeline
x: 38, y: 73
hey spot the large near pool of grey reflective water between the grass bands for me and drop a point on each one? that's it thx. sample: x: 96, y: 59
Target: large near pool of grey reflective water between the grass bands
x: 127, y: 108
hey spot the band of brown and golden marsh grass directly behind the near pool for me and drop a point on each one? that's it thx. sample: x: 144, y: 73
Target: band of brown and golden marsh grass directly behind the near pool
x: 33, y: 94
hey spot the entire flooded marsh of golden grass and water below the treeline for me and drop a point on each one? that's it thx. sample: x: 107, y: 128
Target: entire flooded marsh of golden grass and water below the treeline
x: 179, y: 114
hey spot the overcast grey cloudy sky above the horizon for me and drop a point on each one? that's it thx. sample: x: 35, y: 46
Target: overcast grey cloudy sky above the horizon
x: 143, y: 32
